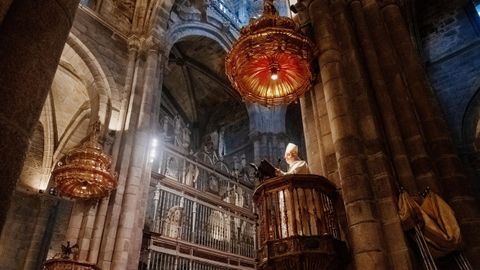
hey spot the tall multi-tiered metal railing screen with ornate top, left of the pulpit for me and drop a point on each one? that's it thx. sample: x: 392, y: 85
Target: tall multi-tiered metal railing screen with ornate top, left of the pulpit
x: 196, y: 202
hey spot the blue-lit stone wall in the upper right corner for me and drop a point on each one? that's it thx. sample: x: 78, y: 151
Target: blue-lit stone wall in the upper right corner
x: 450, y: 40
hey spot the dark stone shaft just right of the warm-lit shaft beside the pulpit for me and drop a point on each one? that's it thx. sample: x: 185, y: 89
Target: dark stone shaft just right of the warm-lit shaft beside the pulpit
x: 381, y: 176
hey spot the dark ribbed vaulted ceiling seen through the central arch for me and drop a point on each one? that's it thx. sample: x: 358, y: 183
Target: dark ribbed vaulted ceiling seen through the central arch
x: 195, y: 80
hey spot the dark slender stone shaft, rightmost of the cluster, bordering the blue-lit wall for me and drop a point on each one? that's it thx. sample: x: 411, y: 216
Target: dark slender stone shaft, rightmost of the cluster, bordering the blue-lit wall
x: 457, y: 186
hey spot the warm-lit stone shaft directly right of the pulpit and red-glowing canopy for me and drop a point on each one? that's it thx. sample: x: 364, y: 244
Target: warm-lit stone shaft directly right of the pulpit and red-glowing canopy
x: 358, y: 198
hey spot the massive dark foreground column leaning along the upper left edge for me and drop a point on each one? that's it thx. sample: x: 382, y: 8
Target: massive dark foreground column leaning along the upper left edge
x: 32, y: 36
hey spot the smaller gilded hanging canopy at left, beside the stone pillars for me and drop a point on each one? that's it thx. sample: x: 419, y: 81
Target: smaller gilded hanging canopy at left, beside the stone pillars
x: 85, y: 172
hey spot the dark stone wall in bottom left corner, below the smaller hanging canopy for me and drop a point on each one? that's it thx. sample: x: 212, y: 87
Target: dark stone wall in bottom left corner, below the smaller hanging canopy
x: 34, y: 223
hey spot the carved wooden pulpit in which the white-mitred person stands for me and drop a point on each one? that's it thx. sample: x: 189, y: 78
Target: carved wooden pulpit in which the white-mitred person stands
x: 297, y: 224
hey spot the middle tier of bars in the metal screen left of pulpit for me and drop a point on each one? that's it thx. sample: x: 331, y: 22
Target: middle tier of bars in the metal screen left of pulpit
x: 180, y: 217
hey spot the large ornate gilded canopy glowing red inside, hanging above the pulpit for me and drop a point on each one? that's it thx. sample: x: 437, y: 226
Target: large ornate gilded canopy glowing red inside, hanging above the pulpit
x: 270, y: 63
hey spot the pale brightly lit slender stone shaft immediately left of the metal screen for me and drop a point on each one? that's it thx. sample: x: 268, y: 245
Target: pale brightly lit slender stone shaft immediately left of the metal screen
x: 140, y: 128
